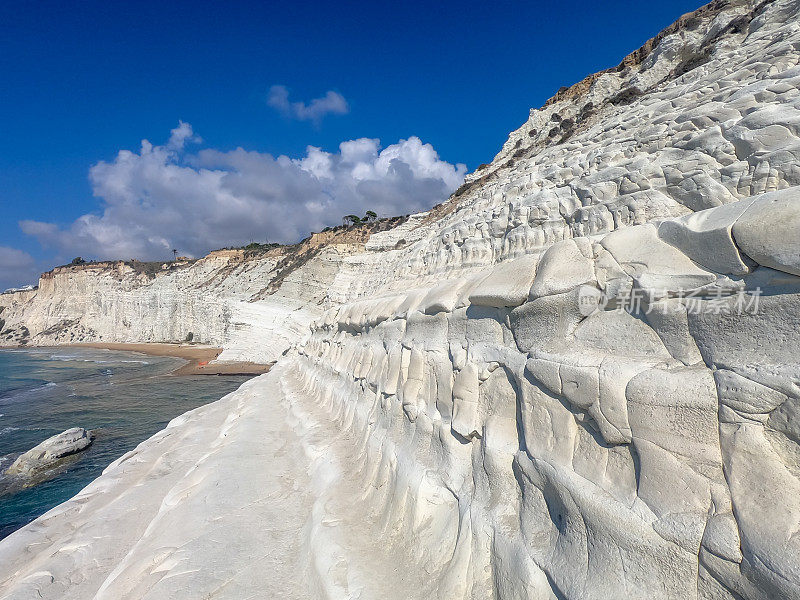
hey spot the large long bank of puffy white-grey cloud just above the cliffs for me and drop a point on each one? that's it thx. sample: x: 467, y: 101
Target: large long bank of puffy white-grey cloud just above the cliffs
x: 165, y: 197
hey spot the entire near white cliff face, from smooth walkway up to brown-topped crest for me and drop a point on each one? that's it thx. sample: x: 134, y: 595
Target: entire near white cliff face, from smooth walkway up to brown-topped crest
x: 608, y: 451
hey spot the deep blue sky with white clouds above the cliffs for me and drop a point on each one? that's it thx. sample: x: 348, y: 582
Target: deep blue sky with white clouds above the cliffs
x: 440, y: 85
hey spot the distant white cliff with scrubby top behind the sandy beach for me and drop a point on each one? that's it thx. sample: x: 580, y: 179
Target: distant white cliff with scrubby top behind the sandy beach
x: 254, y: 307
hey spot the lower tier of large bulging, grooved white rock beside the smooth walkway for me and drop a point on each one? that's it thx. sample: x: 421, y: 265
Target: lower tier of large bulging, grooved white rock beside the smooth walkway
x: 640, y: 448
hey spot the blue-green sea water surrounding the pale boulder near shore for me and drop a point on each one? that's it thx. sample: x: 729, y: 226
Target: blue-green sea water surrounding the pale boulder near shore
x: 123, y: 397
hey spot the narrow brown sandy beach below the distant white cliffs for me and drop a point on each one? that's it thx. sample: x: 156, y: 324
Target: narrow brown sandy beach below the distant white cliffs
x: 198, y: 357
